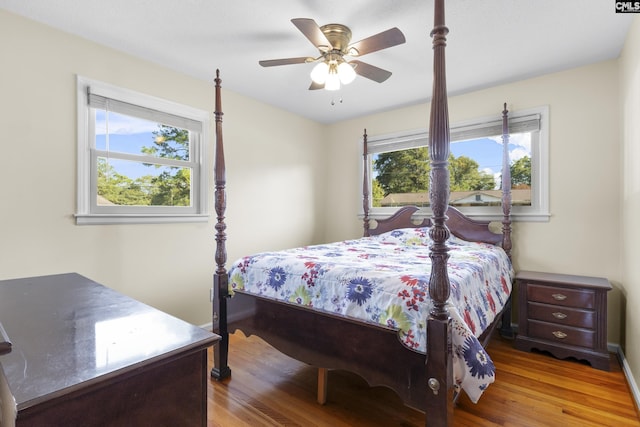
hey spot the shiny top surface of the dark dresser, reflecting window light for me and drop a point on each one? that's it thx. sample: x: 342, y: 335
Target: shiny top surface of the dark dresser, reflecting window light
x: 68, y: 330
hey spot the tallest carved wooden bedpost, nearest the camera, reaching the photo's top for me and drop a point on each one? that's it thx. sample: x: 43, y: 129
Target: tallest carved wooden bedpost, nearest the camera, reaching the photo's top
x: 439, y: 405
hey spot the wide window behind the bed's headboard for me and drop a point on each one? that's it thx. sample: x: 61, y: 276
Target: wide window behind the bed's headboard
x: 398, y: 168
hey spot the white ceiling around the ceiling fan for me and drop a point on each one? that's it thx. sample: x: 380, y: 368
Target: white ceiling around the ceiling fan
x: 490, y: 42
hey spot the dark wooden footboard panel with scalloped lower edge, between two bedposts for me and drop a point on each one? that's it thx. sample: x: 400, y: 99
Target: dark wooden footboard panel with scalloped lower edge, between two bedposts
x: 330, y: 341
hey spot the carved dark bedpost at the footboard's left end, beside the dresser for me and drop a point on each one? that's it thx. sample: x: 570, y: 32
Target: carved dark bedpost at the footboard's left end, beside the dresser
x: 220, y: 368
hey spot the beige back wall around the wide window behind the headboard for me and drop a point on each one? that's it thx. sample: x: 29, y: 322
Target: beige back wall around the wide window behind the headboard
x: 583, y: 234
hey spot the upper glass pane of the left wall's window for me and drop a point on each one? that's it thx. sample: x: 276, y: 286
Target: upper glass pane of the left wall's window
x: 126, y: 134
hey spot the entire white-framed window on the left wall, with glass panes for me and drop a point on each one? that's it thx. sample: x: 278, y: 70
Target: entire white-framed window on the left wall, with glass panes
x: 140, y: 159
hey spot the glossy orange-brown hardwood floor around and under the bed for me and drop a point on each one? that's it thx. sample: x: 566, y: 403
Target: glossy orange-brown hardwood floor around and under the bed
x: 268, y: 388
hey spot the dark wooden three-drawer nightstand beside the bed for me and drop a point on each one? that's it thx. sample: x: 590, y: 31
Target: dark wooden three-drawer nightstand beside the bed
x: 565, y: 315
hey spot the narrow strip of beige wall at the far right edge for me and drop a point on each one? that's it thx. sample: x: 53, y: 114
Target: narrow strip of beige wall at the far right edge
x: 630, y: 197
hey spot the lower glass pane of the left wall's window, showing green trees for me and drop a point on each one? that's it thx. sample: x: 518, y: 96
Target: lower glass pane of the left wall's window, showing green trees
x: 129, y: 183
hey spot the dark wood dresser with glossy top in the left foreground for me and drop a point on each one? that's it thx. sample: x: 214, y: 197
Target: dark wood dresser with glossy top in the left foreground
x: 85, y: 355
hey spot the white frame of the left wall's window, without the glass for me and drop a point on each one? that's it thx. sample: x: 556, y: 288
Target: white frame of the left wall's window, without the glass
x: 88, y: 211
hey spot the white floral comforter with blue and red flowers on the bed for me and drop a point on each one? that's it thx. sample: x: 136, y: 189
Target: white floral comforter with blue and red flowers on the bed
x: 384, y: 280
